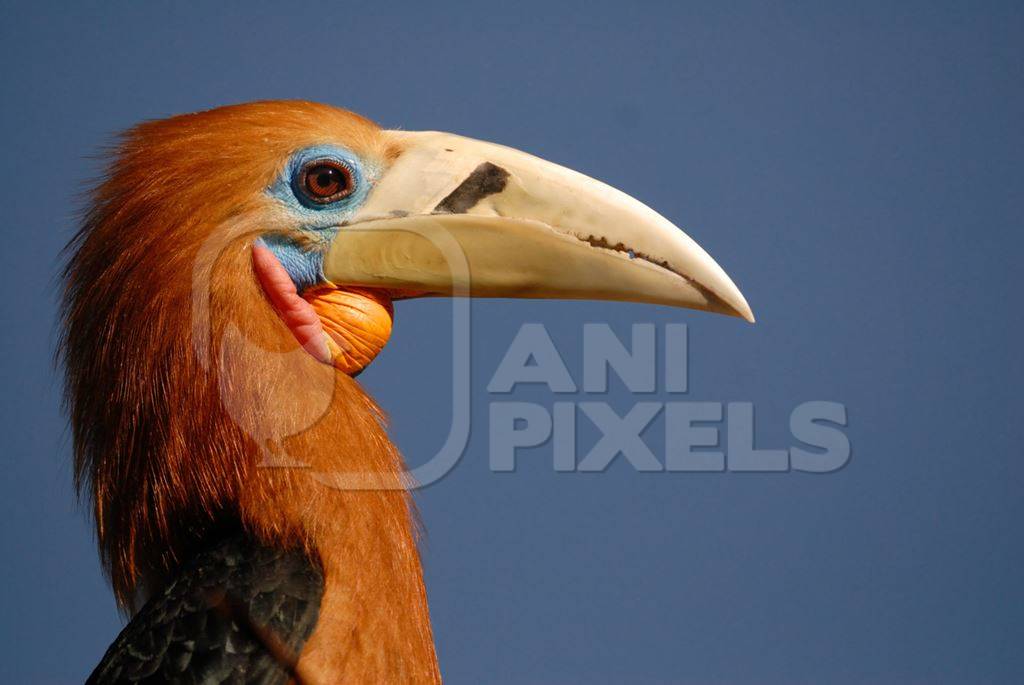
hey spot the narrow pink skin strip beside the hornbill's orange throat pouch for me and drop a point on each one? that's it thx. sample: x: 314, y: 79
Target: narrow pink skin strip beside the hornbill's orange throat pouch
x: 298, y: 315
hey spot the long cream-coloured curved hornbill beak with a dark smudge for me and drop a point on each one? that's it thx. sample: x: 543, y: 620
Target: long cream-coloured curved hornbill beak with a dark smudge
x: 457, y: 217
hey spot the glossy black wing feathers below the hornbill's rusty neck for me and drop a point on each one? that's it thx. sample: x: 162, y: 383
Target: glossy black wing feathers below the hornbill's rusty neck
x: 238, y: 614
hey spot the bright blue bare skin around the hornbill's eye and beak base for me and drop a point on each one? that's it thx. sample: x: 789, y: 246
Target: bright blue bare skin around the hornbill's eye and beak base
x: 319, y: 223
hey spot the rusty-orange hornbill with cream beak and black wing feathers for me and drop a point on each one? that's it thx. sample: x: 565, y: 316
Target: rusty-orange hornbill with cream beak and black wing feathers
x: 235, y: 271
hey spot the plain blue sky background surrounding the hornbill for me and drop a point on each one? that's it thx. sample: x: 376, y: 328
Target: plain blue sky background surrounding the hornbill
x: 857, y: 168
